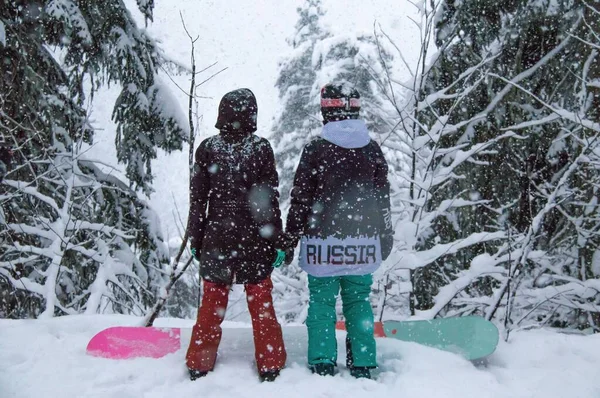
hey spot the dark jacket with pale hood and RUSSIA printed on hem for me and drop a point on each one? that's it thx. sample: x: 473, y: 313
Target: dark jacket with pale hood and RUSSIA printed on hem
x: 341, y: 197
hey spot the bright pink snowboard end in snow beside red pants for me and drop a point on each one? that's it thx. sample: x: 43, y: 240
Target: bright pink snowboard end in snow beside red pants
x: 122, y: 342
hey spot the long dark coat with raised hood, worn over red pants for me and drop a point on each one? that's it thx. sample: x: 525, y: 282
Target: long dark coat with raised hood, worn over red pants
x: 234, y: 218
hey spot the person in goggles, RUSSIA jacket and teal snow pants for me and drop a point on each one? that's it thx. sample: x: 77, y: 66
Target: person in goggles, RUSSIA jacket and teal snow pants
x: 340, y: 208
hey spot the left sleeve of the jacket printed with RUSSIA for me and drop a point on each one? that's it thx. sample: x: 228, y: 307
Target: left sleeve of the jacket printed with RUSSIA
x: 302, y: 194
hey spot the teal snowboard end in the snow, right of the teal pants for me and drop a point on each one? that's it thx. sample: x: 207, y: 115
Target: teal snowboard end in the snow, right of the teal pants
x: 472, y: 337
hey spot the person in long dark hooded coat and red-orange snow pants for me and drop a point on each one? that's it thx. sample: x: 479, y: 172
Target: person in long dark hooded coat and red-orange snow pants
x: 234, y: 225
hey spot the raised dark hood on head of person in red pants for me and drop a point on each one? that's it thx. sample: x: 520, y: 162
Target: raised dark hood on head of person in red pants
x: 238, y: 111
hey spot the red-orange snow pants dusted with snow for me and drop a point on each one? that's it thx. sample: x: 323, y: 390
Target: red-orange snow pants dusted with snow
x: 206, y: 334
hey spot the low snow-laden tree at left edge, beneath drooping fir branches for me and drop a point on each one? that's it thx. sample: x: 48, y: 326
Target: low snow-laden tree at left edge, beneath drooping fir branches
x: 90, y: 244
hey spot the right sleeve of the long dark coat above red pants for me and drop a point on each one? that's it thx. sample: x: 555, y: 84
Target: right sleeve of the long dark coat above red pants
x: 264, y: 196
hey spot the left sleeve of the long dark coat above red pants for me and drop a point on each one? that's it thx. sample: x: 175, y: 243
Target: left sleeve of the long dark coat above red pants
x: 199, y: 189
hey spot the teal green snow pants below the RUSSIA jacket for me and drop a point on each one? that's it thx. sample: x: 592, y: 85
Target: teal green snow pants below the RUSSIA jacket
x: 322, y: 344
